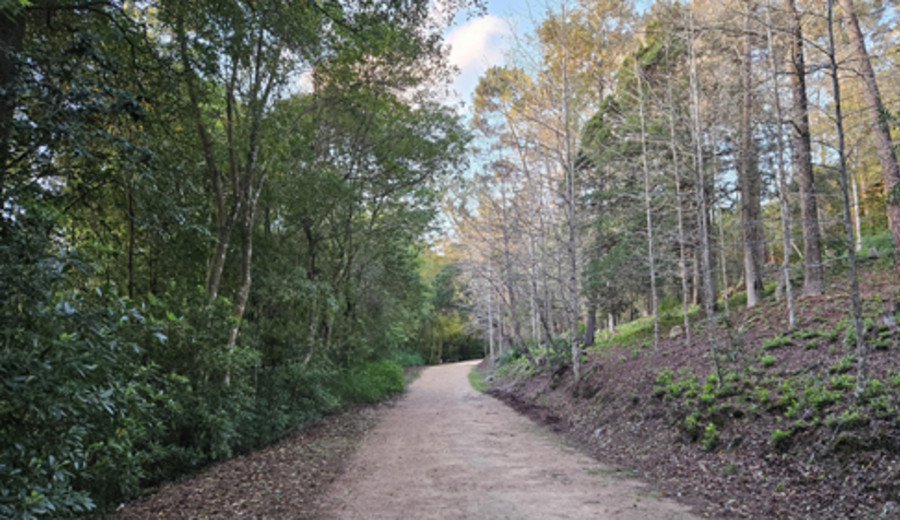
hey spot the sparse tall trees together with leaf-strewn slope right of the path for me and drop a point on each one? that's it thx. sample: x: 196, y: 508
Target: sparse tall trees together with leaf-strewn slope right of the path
x: 682, y: 246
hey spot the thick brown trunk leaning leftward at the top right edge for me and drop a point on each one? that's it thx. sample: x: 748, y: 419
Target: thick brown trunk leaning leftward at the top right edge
x: 880, y: 126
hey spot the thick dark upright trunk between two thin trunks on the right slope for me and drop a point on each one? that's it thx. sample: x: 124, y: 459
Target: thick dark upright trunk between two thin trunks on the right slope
x: 812, y: 249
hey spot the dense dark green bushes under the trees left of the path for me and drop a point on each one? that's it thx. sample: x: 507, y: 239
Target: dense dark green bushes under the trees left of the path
x: 100, y: 396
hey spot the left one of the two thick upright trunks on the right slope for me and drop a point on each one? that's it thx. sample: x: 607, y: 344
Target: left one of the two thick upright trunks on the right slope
x: 749, y: 176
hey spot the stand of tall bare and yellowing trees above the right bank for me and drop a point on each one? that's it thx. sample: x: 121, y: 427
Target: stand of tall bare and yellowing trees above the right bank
x: 690, y: 152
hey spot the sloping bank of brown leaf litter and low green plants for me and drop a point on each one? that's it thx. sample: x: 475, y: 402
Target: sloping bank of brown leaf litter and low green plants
x: 782, y: 436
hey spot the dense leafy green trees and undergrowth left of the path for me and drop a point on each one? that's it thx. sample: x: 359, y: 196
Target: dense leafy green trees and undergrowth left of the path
x: 212, y: 230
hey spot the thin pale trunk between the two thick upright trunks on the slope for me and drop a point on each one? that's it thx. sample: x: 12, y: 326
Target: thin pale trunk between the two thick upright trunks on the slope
x: 782, y: 184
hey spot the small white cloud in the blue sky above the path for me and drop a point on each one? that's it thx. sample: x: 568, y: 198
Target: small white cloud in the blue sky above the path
x: 476, y: 46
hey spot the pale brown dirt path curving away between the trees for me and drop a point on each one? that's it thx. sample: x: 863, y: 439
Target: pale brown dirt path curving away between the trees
x: 448, y: 452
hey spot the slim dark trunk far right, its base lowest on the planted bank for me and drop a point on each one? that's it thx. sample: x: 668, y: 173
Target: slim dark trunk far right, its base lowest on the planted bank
x: 861, y: 346
